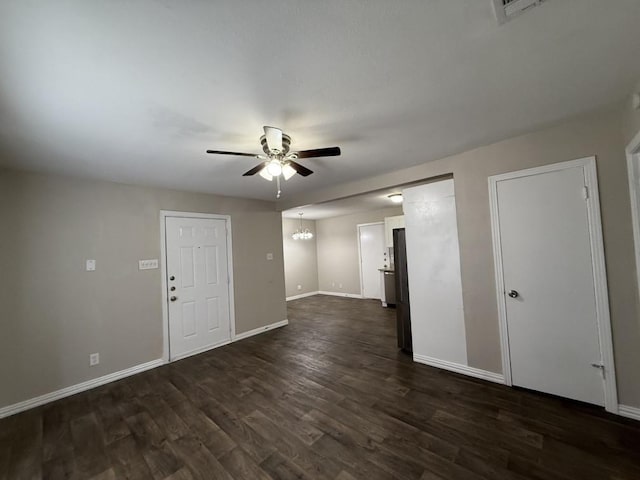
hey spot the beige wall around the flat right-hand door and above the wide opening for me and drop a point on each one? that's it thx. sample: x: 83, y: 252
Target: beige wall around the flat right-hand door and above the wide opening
x: 598, y: 133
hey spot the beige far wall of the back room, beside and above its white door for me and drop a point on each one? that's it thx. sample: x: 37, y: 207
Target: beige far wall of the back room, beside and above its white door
x: 338, y: 249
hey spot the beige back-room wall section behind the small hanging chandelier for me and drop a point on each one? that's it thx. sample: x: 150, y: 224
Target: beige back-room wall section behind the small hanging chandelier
x: 300, y: 258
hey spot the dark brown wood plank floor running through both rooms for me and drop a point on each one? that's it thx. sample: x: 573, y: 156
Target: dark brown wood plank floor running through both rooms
x: 327, y: 397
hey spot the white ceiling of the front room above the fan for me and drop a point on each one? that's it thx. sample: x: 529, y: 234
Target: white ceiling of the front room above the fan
x: 136, y: 91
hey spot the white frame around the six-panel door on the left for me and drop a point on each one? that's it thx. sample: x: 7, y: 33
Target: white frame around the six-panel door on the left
x: 163, y: 262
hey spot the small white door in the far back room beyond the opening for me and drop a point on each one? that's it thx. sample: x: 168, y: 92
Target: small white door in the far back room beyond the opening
x: 371, y: 238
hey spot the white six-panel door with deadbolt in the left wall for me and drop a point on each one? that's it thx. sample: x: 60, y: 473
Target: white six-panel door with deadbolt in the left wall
x: 198, y: 285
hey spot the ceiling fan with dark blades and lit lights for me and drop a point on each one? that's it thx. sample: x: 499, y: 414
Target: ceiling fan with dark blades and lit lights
x: 278, y: 161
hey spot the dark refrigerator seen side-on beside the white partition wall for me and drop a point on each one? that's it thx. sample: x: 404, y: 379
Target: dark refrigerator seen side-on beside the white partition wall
x: 403, y: 312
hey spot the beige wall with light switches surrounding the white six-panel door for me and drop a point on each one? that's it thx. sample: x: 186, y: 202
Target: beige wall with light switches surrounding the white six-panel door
x: 54, y: 314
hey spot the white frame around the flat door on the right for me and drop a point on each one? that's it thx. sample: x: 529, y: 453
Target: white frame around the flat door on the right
x: 598, y: 265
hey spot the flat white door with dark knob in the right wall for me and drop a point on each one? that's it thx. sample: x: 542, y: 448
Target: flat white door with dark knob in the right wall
x: 550, y: 300
